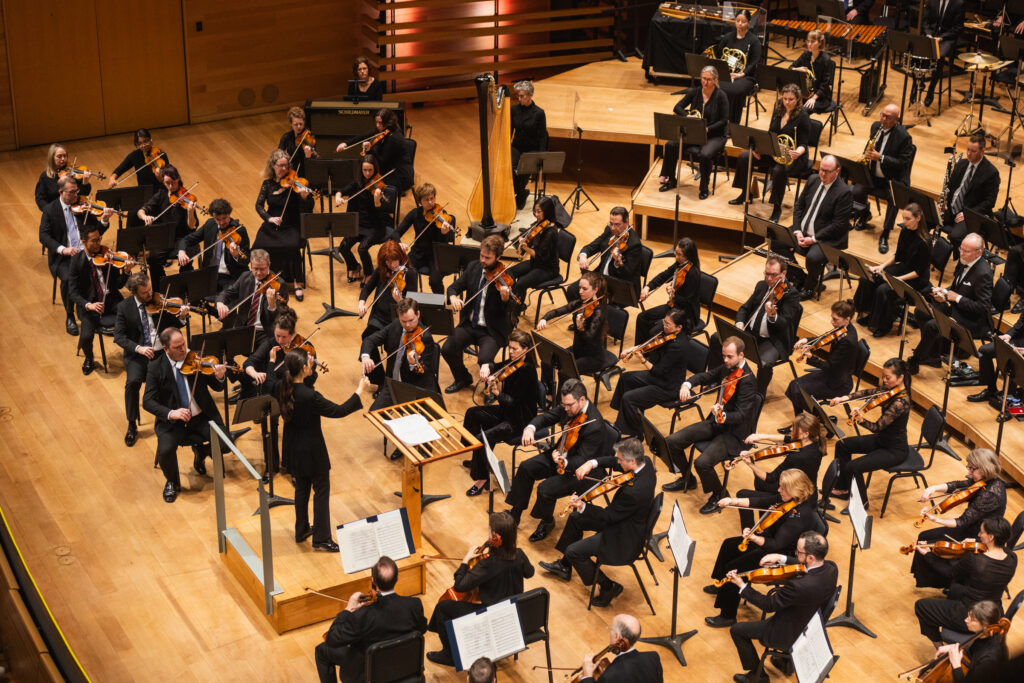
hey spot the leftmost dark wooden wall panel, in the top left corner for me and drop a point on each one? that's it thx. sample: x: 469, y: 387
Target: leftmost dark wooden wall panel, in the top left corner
x: 55, y: 70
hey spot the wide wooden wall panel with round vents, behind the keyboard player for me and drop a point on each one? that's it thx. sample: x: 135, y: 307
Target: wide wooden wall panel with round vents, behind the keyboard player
x: 262, y: 56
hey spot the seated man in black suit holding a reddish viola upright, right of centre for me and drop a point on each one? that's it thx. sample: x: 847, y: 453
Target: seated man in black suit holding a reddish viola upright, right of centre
x: 729, y: 423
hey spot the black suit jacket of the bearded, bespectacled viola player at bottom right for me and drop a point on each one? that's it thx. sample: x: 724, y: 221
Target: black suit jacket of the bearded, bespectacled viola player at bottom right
x: 794, y: 604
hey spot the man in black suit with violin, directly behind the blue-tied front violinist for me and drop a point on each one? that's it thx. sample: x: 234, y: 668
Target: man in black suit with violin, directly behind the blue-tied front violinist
x: 138, y: 332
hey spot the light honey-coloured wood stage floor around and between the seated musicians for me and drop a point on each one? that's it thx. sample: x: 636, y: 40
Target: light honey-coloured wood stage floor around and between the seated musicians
x: 138, y: 586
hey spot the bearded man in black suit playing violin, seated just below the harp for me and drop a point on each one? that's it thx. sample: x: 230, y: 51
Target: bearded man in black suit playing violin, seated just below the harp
x: 485, y: 322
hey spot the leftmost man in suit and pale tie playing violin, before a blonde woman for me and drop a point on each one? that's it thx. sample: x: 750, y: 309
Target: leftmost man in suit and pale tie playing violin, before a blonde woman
x: 61, y: 234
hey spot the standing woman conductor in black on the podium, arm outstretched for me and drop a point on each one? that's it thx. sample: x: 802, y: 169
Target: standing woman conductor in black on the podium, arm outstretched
x: 304, y: 447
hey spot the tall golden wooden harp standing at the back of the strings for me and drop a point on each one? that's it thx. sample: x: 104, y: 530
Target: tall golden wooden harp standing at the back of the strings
x: 492, y: 203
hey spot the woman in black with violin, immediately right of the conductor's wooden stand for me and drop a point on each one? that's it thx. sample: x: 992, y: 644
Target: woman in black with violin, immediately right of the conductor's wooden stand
x: 515, y: 406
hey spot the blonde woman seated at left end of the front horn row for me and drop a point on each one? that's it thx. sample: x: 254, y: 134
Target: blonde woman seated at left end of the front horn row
x: 711, y: 102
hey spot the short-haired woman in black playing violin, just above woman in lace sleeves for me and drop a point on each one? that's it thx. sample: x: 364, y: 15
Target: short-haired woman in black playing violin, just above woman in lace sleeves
x: 832, y: 376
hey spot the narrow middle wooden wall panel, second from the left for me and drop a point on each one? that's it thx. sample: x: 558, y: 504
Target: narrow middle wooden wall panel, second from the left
x: 142, y: 50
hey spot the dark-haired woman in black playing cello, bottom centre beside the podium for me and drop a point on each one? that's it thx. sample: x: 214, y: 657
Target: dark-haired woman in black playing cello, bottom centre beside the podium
x: 497, y: 576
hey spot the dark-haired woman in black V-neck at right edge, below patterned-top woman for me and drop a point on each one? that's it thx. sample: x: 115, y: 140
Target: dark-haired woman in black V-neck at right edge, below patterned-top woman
x: 975, y: 577
